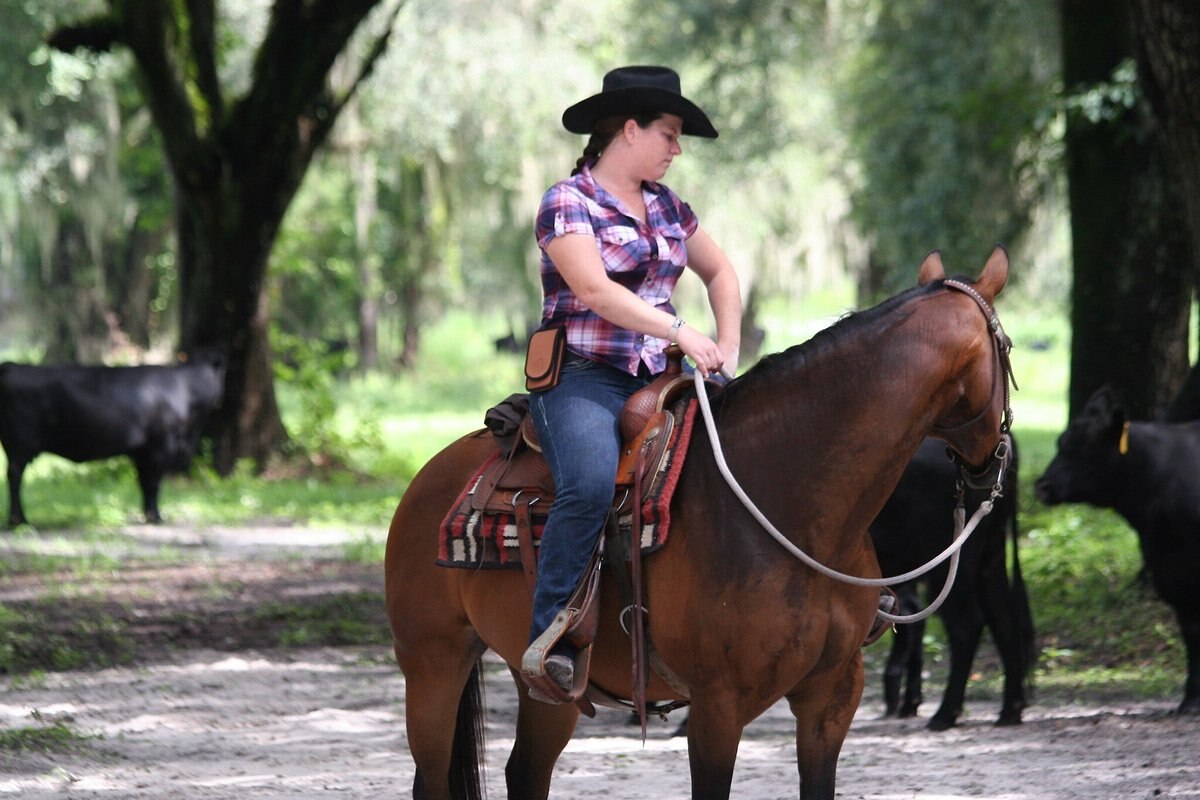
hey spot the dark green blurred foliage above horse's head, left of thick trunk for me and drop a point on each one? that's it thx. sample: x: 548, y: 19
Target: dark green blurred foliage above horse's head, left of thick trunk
x: 950, y: 105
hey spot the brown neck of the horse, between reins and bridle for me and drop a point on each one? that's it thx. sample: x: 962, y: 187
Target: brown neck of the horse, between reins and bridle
x: 841, y: 420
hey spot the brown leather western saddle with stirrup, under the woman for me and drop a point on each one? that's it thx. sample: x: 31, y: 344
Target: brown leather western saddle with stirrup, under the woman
x: 523, y: 485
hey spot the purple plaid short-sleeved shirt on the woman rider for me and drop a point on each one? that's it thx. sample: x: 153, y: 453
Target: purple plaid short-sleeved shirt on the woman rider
x: 646, y: 257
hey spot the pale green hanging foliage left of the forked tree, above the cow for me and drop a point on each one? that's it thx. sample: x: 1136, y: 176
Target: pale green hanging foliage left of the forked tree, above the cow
x: 85, y: 197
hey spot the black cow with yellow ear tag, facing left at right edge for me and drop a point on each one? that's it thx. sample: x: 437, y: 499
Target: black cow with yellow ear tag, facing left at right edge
x: 1150, y: 474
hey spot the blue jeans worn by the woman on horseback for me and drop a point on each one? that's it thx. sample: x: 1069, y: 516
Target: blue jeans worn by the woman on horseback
x: 578, y: 424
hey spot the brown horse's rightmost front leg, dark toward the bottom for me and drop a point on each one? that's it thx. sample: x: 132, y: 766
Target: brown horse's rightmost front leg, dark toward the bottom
x: 824, y: 713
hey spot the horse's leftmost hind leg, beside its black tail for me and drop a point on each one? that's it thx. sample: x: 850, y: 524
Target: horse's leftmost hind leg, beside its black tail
x: 442, y: 709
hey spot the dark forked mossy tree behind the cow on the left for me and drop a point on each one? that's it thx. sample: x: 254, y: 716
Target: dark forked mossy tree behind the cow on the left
x: 237, y: 152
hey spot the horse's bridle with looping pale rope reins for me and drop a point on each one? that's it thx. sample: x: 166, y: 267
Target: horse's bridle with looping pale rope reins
x: 994, y: 473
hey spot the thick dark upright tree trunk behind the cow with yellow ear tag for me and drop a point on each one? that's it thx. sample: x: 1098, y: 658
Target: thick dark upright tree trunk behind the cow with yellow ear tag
x: 1131, y: 298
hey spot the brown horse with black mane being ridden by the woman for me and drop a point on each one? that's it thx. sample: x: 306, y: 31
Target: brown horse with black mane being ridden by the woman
x: 818, y: 436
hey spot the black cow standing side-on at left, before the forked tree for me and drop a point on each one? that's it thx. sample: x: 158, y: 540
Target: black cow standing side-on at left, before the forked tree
x: 152, y: 414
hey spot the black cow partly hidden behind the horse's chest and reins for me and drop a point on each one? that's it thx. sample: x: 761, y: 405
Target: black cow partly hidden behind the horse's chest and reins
x: 915, y: 526
